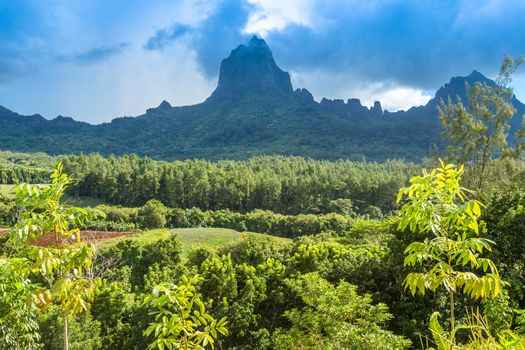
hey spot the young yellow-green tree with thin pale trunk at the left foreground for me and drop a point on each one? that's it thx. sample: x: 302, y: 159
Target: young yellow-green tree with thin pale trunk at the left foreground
x: 61, y: 265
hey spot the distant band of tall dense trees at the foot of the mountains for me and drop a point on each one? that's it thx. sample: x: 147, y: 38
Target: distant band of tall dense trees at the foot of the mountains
x: 289, y: 185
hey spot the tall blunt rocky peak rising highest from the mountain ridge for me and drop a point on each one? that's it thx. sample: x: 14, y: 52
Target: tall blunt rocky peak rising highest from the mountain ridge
x: 251, y: 69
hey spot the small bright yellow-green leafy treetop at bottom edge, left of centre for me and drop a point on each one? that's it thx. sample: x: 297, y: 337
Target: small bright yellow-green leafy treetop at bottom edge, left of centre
x: 181, y: 320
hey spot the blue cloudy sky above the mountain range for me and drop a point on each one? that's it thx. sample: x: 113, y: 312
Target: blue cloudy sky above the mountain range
x: 95, y: 60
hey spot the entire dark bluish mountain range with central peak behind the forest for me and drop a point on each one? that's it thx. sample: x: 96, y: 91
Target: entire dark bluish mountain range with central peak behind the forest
x: 254, y: 110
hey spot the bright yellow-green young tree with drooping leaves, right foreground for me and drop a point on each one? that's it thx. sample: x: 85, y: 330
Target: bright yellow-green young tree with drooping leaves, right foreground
x: 437, y: 207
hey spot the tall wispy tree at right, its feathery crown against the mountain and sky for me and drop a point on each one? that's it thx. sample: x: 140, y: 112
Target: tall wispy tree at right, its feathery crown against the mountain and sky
x: 478, y: 132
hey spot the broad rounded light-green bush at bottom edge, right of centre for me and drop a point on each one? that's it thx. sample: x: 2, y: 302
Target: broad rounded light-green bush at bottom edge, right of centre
x: 335, y: 318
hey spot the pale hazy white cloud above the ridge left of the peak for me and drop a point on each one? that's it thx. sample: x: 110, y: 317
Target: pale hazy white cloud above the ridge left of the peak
x: 126, y: 84
